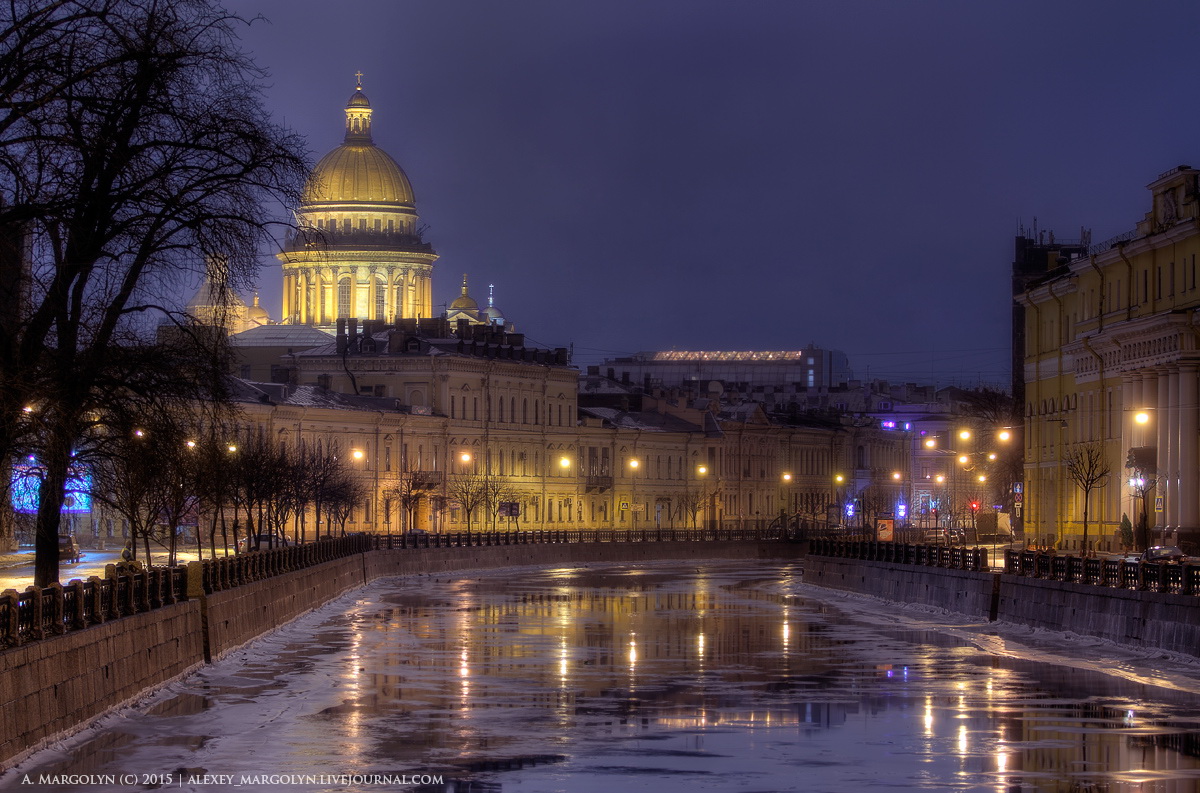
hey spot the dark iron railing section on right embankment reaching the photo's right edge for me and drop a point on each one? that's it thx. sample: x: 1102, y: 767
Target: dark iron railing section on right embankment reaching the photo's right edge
x: 1117, y: 574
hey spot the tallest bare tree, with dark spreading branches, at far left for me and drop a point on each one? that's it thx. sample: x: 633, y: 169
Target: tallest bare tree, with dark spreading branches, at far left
x: 136, y: 153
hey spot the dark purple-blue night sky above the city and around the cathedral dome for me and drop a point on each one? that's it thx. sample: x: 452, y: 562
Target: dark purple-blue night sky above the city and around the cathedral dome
x: 751, y: 176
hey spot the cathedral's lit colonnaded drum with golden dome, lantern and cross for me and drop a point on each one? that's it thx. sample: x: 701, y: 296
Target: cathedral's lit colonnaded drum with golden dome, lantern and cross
x: 358, y: 251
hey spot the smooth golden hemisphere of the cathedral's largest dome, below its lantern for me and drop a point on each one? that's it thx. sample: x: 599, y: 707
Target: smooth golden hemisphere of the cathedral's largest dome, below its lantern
x: 358, y: 173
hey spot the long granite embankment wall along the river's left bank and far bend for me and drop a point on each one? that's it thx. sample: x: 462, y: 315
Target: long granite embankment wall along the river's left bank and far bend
x: 52, y: 687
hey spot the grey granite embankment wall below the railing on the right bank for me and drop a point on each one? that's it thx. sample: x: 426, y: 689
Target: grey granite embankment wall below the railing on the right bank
x: 1161, y: 621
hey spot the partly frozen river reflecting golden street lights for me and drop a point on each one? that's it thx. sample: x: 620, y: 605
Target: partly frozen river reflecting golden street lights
x: 730, y: 677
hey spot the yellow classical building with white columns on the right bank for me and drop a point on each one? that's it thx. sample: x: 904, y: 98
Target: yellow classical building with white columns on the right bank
x: 1111, y: 363
